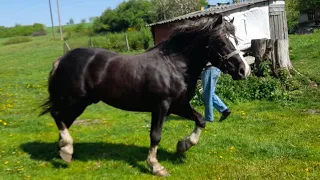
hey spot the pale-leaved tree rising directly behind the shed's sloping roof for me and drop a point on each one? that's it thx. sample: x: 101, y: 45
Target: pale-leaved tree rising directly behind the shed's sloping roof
x: 167, y: 9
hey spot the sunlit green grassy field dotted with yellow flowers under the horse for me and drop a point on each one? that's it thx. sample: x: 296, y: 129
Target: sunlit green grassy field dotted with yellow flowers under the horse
x: 260, y: 140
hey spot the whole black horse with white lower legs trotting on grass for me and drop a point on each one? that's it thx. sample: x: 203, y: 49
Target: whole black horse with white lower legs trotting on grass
x: 161, y: 81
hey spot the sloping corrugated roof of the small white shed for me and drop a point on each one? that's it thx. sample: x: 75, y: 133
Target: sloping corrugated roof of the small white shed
x: 209, y: 11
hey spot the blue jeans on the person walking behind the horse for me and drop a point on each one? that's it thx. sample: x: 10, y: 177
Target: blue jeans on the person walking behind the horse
x: 210, y: 78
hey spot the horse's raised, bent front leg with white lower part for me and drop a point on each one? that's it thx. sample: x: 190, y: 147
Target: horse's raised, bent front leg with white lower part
x: 187, y: 142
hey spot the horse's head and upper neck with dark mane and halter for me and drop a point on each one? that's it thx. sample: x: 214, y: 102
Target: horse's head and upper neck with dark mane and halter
x: 218, y: 36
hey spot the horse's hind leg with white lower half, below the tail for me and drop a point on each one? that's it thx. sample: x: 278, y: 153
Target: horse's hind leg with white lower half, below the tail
x: 64, y: 119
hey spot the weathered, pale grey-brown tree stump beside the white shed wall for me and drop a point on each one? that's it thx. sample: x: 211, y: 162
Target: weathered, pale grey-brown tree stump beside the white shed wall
x: 274, y: 52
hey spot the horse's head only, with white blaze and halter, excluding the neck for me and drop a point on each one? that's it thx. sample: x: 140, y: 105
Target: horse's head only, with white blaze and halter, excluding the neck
x: 222, y: 49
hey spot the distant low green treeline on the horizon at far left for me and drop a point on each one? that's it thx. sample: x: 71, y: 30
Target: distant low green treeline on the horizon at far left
x: 19, y: 30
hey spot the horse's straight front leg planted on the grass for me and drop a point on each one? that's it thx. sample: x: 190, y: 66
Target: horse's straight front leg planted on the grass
x: 155, y: 136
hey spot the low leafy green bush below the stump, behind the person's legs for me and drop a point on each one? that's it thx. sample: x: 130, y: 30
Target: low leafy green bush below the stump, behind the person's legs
x: 255, y: 88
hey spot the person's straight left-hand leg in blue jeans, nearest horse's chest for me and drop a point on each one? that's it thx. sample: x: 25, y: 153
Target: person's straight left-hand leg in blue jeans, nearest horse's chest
x: 207, y: 93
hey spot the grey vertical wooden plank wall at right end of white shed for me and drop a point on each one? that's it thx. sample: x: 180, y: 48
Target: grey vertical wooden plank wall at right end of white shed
x: 278, y: 21
